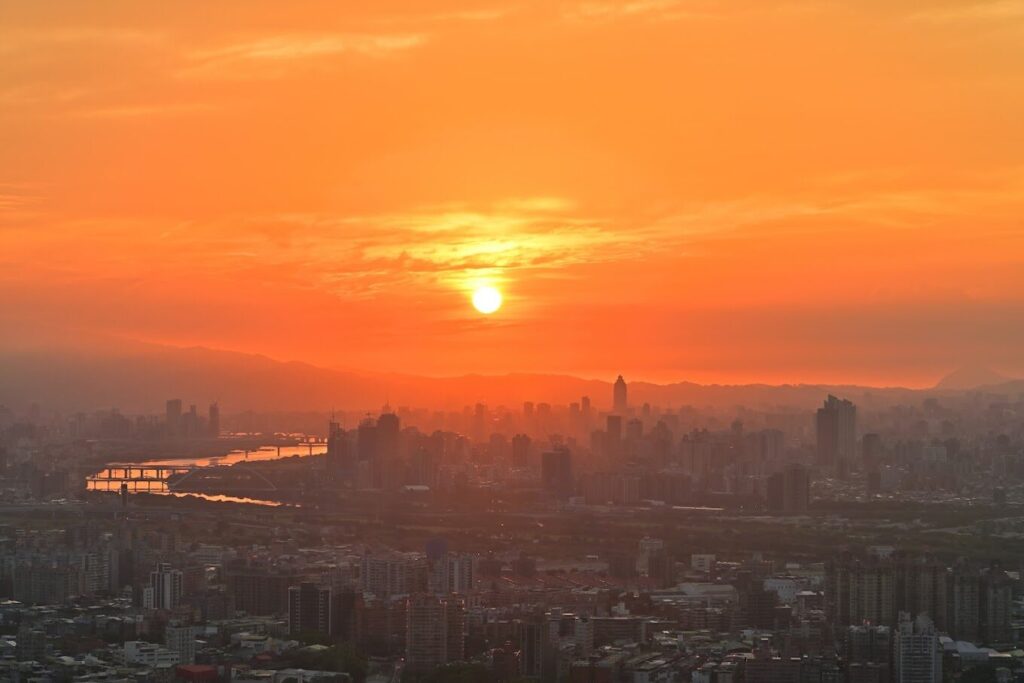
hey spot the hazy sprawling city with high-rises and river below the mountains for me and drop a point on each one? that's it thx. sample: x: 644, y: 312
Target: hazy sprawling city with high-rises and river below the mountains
x: 599, y: 541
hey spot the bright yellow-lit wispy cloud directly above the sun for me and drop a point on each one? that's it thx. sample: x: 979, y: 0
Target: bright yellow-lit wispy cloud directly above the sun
x: 450, y: 245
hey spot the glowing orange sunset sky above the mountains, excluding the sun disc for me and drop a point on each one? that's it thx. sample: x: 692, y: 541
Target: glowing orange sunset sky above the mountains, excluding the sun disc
x: 743, y: 191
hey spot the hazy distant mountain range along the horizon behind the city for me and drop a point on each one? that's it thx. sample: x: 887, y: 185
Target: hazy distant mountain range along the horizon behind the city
x: 141, y: 379
